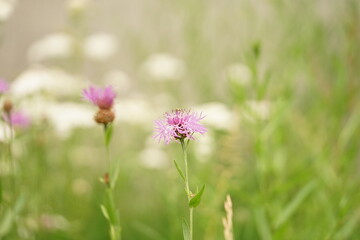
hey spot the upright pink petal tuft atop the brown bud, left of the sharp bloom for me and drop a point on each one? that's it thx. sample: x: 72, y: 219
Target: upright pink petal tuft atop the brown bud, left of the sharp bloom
x: 102, y: 97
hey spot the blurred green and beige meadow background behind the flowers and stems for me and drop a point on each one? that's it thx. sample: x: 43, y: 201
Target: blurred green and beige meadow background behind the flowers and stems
x: 294, y: 175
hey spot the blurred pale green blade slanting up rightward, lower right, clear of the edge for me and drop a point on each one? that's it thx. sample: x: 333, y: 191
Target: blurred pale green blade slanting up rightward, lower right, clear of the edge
x: 295, y: 203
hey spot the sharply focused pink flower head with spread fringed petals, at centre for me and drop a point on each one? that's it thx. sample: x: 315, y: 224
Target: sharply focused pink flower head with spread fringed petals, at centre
x: 179, y: 124
